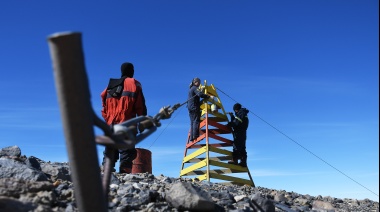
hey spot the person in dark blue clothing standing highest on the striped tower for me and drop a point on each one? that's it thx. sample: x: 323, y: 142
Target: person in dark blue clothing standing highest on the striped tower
x: 193, y: 105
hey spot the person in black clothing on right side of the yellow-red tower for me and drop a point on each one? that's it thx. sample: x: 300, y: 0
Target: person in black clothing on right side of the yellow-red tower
x: 239, y: 123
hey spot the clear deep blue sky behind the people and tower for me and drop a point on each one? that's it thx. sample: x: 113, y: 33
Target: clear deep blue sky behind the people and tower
x: 308, y: 68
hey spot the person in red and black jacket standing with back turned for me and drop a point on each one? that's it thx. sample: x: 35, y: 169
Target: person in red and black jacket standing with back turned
x: 121, y: 103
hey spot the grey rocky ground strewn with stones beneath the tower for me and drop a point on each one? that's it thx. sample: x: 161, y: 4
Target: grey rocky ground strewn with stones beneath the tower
x: 31, y: 184
